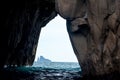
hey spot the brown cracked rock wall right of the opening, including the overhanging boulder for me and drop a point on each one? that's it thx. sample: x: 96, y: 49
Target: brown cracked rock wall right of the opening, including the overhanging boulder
x: 94, y: 30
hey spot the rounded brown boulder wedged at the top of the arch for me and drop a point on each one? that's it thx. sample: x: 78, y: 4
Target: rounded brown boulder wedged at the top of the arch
x: 70, y: 9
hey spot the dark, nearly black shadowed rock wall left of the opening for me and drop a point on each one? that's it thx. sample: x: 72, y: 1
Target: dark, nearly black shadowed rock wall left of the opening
x: 21, y: 22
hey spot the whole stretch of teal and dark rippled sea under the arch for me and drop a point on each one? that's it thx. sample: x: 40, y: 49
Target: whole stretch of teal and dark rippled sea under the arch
x: 44, y: 71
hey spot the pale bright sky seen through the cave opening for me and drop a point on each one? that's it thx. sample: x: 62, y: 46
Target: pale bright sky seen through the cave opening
x: 54, y: 43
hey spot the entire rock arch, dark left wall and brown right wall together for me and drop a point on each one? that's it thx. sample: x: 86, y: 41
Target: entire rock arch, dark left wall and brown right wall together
x: 93, y: 27
